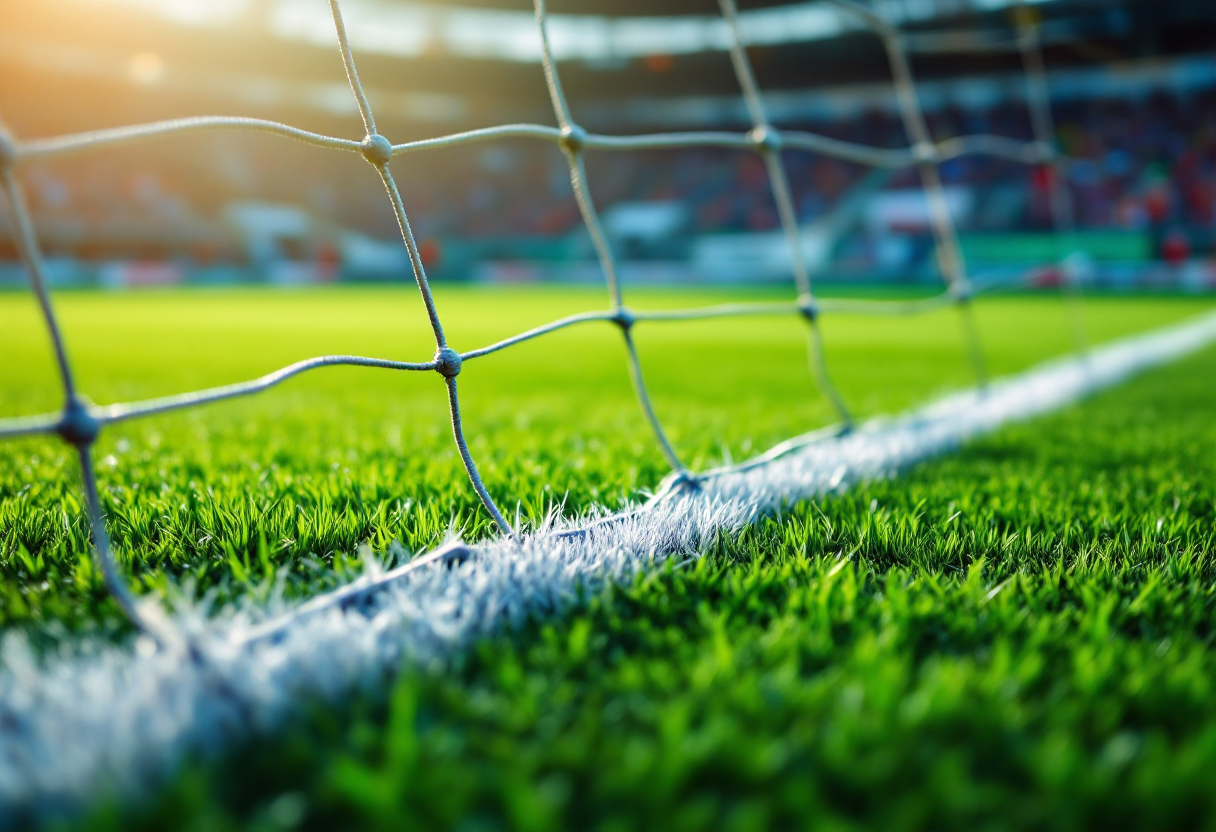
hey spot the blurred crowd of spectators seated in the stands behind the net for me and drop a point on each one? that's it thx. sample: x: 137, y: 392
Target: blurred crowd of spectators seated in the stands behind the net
x: 1147, y: 164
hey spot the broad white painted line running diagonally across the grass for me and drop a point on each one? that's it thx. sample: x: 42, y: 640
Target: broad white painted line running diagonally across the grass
x: 117, y: 718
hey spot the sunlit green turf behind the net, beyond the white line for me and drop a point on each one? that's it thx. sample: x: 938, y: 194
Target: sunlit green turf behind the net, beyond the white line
x: 299, y: 479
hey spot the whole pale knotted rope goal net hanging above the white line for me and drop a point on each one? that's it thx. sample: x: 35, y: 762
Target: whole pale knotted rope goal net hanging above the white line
x: 80, y: 423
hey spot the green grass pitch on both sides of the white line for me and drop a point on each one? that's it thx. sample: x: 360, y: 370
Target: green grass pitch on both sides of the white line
x: 1017, y: 637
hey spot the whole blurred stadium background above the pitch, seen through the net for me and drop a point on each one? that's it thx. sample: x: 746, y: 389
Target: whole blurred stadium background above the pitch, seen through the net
x: 1133, y: 83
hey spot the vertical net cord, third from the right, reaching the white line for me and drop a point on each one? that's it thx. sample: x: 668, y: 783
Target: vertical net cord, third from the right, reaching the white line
x: 769, y: 144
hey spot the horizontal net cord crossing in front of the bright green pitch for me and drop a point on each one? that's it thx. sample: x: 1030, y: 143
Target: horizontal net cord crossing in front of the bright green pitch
x: 114, y: 414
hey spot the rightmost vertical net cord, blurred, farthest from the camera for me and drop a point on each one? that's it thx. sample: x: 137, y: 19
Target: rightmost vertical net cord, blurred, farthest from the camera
x: 1044, y: 127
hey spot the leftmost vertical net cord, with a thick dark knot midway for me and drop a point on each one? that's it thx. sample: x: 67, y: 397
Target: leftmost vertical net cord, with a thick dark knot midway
x: 77, y: 428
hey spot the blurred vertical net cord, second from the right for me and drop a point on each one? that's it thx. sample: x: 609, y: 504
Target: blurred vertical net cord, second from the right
x: 950, y: 255
